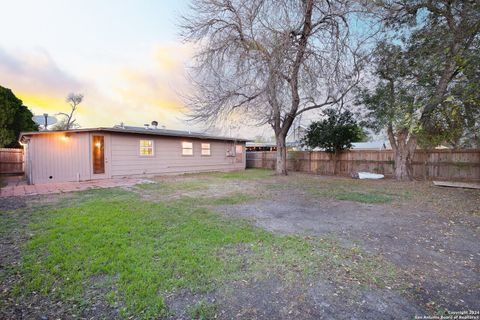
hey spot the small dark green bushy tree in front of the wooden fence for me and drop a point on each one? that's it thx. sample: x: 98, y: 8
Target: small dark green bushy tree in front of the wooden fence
x: 335, y: 133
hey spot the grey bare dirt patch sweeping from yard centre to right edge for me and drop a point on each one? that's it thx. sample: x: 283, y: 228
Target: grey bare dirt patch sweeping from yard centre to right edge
x: 439, y: 256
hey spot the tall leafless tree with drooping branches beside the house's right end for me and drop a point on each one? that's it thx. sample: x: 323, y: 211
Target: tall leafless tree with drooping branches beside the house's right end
x: 270, y: 60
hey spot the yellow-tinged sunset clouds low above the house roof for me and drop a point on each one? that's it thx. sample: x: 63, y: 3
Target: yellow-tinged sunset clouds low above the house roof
x: 132, y: 93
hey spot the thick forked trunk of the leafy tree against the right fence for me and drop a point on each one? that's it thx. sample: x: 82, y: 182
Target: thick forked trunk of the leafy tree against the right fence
x: 403, y: 146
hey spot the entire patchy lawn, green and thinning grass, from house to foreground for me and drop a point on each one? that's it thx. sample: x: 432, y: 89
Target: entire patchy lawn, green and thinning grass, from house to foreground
x: 135, y: 251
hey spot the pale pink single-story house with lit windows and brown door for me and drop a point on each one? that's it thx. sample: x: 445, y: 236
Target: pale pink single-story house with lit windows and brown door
x: 102, y: 153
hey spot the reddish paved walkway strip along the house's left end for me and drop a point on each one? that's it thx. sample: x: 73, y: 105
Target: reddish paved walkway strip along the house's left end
x: 28, y: 190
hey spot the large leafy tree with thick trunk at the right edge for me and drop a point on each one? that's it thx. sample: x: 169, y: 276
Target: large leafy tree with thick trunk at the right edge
x: 426, y: 75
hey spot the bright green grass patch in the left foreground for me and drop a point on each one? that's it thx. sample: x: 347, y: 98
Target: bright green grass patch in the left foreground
x: 148, y: 247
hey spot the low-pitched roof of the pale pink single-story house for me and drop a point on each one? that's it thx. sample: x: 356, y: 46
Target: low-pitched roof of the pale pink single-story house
x: 141, y: 130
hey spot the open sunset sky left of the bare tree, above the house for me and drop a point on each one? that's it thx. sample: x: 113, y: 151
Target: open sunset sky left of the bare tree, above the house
x: 126, y: 57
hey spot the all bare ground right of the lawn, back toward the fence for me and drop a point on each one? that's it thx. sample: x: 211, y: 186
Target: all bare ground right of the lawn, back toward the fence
x: 431, y: 235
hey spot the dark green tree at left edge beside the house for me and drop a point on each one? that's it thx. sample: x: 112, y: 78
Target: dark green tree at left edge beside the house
x: 14, y: 118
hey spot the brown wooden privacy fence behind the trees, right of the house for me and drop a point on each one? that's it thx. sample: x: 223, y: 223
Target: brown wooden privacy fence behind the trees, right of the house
x: 463, y: 165
